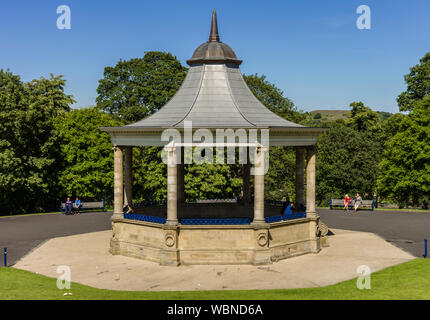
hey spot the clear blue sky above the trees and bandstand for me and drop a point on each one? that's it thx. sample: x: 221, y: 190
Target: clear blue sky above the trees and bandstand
x: 310, y: 49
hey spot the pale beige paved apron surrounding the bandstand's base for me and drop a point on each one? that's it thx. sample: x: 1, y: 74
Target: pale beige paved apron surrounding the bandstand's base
x: 93, y: 265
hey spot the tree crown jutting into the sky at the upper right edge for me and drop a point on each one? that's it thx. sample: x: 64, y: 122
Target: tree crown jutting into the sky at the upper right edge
x: 418, y: 82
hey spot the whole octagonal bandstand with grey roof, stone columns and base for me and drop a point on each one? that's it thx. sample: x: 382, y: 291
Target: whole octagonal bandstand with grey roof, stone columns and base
x: 214, y: 97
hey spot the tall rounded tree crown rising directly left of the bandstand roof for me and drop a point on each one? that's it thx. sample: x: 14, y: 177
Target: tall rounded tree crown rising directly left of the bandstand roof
x: 138, y: 87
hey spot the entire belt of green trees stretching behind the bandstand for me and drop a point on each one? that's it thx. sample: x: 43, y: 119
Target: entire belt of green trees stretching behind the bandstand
x: 48, y: 151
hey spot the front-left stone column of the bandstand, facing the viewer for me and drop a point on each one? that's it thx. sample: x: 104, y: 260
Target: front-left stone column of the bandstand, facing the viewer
x: 172, y: 188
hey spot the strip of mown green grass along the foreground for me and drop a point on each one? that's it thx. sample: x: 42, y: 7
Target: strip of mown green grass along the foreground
x: 410, y: 280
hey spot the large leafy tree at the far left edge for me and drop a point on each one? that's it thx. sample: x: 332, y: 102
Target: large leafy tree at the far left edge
x: 29, y: 150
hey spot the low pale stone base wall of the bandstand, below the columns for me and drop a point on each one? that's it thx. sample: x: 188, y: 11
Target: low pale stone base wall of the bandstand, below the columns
x: 214, y: 244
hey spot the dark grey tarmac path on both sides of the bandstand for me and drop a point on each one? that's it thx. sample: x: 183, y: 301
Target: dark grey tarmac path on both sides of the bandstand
x: 21, y: 234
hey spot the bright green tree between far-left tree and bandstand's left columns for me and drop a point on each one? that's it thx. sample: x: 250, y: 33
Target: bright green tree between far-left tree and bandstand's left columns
x: 86, y: 154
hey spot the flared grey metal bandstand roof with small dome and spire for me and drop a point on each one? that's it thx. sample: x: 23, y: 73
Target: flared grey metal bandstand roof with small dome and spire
x: 214, y: 94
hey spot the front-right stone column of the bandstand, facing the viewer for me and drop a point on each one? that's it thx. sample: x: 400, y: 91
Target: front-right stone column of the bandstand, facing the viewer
x: 259, y: 185
